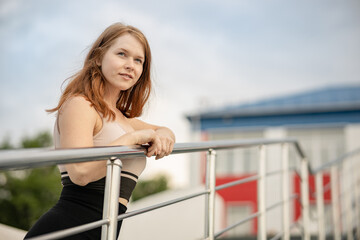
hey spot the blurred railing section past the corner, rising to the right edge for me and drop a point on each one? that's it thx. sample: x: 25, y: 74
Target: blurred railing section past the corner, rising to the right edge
x: 351, y: 197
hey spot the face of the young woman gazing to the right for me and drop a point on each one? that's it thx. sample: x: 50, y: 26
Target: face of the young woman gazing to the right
x: 122, y: 64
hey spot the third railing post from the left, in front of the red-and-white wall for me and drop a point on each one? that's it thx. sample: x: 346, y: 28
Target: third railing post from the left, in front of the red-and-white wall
x: 261, y: 194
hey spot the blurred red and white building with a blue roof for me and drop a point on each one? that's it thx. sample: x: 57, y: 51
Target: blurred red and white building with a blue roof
x: 325, y: 121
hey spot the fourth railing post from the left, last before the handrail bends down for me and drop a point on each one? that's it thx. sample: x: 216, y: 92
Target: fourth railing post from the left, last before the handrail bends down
x: 285, y: 191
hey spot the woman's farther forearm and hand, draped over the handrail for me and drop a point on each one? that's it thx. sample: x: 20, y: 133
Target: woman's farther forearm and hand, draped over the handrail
x: 166, y: 138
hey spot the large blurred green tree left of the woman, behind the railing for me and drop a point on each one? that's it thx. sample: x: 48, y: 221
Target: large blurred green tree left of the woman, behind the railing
x: 26, y: 194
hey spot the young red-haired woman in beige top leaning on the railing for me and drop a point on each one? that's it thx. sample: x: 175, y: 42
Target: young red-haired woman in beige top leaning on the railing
x: 99, y: 108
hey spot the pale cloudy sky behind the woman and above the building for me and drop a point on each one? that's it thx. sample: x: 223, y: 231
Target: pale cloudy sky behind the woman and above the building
x: 206, y: 55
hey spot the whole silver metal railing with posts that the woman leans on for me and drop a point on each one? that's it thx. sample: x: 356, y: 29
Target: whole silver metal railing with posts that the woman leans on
x: 10, y: 160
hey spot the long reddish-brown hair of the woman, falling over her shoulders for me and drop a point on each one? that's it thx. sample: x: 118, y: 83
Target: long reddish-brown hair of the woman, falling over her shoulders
x: 90, y: 82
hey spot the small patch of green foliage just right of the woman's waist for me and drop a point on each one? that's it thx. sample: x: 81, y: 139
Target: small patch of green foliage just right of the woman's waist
x: 145, y: 188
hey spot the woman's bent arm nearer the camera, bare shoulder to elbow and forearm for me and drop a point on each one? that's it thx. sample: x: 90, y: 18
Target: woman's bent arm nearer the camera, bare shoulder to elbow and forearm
x: 78, y: 122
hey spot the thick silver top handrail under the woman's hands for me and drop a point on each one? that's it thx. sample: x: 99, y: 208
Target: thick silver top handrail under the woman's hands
x: 25, y: 158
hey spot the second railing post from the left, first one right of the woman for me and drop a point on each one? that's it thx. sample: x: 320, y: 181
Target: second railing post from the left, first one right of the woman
x: 211, y: 200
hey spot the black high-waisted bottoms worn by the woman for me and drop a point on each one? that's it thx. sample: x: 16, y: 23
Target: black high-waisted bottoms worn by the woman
x: 77, y: 205
